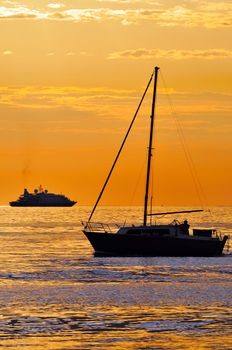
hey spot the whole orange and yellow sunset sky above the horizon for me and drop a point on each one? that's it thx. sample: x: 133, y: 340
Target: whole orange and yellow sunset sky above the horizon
x: 72, y: 75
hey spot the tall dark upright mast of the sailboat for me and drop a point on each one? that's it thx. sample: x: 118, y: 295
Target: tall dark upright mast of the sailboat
x: 150, y: 147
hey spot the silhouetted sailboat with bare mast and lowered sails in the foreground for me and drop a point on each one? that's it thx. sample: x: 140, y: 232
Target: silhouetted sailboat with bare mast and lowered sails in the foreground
x: 150, y: 239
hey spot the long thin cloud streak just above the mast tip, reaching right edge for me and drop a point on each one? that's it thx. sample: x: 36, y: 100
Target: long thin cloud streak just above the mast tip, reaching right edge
x: 143, y: 53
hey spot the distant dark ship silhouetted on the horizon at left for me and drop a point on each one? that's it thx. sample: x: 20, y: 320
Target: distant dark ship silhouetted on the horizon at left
x: 42, y: 198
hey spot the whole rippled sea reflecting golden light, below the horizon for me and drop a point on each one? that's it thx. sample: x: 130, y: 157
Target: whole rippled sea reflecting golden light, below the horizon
x: 55, y: 294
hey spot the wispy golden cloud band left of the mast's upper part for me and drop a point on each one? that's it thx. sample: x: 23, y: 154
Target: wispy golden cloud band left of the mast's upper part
x: 98, y: 100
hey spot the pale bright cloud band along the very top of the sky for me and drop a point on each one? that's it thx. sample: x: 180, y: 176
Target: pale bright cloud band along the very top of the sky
x: 190, y: 14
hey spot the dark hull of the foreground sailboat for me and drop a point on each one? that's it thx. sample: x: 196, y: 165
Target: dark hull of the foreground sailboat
x: 137, y: 245
